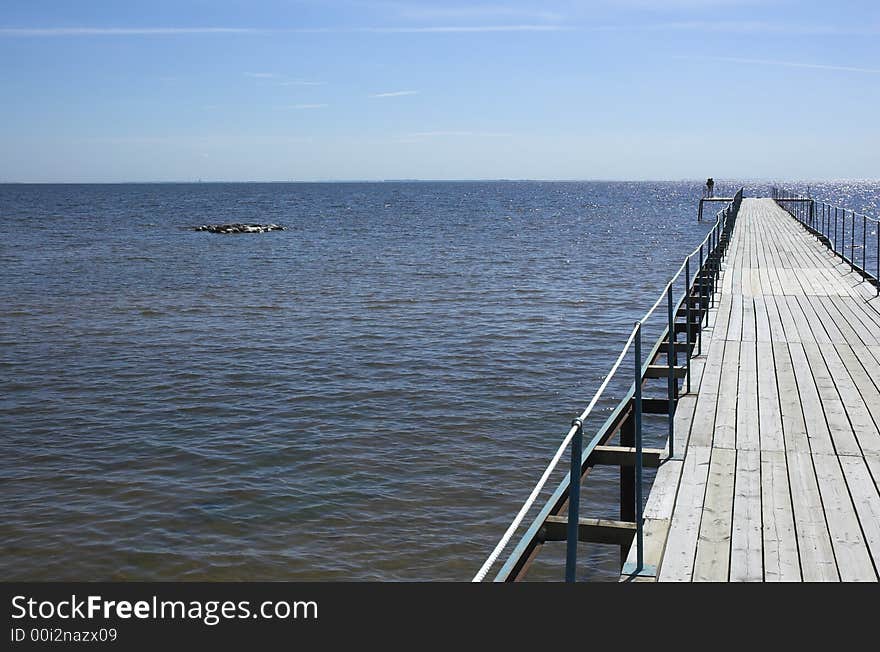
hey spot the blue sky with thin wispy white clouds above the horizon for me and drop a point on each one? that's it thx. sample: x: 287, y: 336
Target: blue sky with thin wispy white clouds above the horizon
x: 363, y: 89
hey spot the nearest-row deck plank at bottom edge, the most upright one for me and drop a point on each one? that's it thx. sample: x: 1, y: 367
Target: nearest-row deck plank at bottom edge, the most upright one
x: 746, y: 553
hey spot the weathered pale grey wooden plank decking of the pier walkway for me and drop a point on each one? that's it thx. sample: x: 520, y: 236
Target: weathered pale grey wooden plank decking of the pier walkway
x: 777, y: 462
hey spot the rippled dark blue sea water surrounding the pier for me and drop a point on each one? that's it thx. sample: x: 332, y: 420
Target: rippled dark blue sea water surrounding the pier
x: 370, y: 394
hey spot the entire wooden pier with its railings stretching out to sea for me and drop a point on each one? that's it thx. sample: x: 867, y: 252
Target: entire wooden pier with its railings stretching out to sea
x: 771, y: 467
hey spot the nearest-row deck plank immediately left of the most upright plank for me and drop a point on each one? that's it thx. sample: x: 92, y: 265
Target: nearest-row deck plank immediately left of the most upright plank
x: 712, y: 562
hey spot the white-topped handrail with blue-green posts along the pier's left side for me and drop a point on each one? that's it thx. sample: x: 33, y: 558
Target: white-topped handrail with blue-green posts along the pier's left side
x: 714, y: 240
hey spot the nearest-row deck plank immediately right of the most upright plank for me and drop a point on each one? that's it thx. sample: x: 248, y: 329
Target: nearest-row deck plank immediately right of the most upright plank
x: 781, y: 561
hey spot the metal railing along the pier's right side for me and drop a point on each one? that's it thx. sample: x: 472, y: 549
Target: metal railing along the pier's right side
x: 845, y: 231
